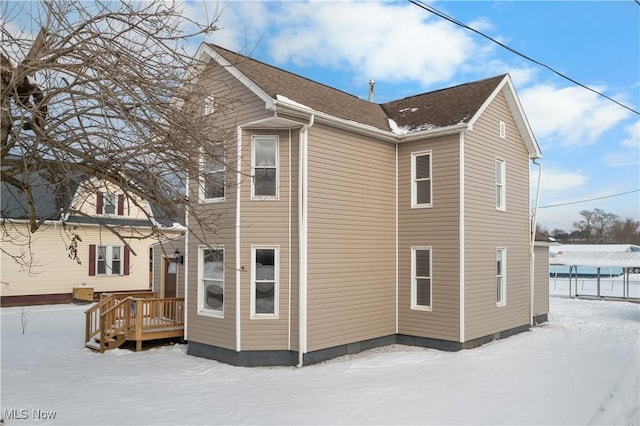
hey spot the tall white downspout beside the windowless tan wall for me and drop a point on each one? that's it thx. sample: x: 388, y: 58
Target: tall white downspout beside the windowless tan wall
x: 302, y: 245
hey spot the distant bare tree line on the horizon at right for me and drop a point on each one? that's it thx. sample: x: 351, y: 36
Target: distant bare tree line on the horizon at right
x: 598, y: 227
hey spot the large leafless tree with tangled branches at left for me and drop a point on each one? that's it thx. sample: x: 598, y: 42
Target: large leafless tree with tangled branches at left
x: 98, y: 89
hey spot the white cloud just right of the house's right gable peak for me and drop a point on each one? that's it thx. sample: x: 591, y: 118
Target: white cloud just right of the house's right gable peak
x: 569, y: 116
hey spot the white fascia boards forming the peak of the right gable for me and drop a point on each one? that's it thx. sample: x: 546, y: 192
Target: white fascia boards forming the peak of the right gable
x: 515, y: 107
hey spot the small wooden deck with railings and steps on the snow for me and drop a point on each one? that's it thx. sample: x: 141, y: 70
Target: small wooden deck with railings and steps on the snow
x: 133, y: 316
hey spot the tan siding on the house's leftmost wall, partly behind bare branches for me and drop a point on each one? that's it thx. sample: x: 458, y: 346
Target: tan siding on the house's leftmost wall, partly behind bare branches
x: 234, y: 104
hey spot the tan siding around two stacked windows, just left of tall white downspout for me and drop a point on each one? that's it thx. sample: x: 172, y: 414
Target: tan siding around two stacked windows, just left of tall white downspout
x: 266, y: 223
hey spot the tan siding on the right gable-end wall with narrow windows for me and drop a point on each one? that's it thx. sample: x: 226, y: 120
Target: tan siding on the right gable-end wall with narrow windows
x: 486, y: 228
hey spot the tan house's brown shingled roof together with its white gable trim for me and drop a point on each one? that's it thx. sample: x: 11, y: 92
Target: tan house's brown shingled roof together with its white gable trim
x: 458, y: 105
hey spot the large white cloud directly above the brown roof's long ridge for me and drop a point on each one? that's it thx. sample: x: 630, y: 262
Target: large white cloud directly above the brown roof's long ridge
x: 384, y: 41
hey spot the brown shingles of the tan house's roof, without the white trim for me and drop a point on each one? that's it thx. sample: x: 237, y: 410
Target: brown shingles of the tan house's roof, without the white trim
x: 439, y: 108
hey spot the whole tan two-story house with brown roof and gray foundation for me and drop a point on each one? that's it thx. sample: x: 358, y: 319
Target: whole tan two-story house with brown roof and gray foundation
x: 346, y: 224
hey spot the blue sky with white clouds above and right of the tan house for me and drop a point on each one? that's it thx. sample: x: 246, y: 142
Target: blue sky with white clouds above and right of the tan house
x: 591, y: 146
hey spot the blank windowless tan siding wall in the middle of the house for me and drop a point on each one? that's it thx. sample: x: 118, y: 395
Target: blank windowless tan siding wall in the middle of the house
x: 351, y: 238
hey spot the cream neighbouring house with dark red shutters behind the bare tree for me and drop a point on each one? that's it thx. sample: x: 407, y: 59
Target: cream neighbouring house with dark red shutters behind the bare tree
x: 75, y: 246
